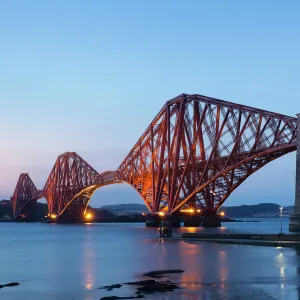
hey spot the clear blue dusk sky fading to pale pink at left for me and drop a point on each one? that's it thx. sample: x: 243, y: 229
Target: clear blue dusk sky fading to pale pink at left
x: 89, y: 76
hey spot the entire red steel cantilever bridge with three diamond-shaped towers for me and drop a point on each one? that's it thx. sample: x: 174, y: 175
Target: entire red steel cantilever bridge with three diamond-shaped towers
x: 194, y: 154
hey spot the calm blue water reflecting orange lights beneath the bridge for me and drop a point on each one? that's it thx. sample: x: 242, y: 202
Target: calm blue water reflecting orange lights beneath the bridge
x: 66, y: 262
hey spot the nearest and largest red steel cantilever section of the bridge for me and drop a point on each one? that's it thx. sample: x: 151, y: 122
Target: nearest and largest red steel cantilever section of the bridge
x: 198, y: 150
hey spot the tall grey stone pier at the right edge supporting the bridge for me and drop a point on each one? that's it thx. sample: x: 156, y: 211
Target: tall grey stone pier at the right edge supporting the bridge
x: 295, y: 216
